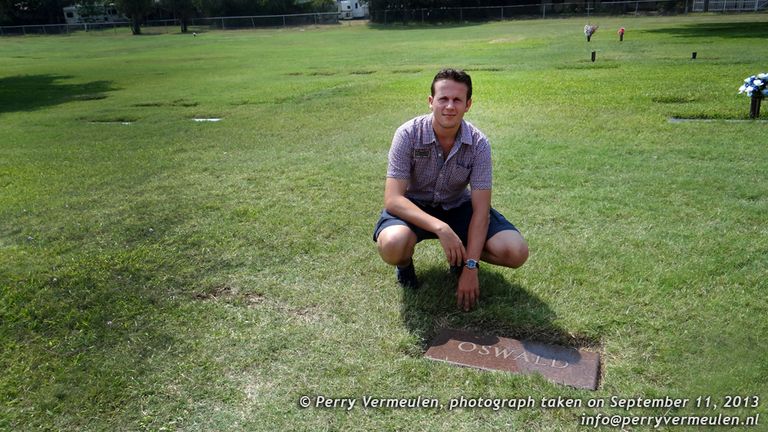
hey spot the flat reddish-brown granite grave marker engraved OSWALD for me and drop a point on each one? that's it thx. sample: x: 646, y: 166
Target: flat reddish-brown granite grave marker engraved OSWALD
x: 559, y: 364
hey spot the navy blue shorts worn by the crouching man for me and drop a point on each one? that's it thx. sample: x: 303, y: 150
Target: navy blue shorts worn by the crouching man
x: 457, y: 218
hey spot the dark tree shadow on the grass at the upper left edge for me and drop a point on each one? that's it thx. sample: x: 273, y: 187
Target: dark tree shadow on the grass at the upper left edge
x: 32, y: 92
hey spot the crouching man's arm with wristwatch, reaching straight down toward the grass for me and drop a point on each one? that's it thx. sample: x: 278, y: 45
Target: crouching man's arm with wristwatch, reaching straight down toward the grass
x: 469, y: 286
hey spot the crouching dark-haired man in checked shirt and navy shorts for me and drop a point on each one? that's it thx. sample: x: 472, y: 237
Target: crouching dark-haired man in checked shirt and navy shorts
x: 432, y: 160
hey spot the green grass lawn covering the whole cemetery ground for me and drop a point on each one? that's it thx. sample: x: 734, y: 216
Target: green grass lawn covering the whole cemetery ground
x: 159, y: 273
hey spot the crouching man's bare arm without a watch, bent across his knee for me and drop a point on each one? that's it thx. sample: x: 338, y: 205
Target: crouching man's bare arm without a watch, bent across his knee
x: 396, y: 203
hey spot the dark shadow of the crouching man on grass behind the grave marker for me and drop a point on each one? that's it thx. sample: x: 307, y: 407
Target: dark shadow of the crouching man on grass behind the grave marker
x: 505, y: 309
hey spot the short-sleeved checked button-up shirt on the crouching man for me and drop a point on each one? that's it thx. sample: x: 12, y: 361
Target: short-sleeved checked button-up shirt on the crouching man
x: 416, y: 156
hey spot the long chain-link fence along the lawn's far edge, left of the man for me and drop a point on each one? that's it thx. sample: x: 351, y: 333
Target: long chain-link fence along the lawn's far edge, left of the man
x: 172, y: 26
